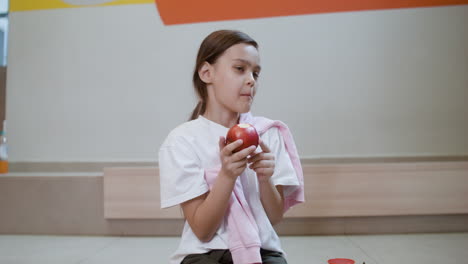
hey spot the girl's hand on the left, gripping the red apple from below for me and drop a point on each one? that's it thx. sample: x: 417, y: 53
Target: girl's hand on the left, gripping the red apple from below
x: 233, y: 164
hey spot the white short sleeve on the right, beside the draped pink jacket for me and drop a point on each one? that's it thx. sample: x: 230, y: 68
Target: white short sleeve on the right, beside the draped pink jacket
x: 285, y: 173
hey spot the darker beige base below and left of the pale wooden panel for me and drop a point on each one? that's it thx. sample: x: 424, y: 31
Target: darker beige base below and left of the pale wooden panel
x: 75, y: 206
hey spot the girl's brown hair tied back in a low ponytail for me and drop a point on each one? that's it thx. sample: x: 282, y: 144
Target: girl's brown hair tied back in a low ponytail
x: 213, y: 46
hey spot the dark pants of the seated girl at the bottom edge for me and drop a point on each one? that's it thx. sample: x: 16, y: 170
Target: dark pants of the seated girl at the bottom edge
x: 221, y: 256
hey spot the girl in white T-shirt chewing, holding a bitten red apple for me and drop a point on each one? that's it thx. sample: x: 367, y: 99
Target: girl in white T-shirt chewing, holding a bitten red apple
x: 230, y: 200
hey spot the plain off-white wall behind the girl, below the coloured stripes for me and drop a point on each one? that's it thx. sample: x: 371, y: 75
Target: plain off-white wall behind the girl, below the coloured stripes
x: 109, y: 83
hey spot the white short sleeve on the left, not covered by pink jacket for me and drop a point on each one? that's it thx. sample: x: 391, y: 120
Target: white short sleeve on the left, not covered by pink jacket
x: 181, y: 176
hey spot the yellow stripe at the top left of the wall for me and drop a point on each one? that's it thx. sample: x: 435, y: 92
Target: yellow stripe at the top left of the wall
x: 27, y: 5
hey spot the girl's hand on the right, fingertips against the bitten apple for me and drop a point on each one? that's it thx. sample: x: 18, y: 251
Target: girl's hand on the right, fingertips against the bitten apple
x: 263, y: 163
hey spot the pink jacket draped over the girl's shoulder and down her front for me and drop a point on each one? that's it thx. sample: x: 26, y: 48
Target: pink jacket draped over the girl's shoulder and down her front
x: 244, y: 242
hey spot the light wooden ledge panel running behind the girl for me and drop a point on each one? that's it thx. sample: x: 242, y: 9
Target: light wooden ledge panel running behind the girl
x: 332, y: 190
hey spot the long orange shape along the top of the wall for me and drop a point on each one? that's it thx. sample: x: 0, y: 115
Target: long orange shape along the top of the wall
x: 193, y: 11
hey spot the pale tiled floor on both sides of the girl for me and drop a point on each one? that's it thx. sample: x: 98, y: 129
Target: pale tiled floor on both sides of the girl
x: 373, y: 249
